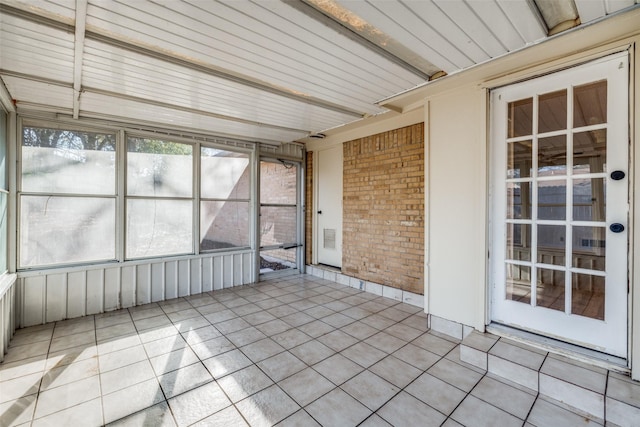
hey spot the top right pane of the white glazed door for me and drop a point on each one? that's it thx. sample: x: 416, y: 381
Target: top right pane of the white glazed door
x: 590, y: 104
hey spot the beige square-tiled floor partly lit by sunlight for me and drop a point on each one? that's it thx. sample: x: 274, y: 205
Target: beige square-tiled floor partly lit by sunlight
x: 293, y: 351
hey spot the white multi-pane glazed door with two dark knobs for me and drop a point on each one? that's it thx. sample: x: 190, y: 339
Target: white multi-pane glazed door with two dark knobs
x: 560, y: 202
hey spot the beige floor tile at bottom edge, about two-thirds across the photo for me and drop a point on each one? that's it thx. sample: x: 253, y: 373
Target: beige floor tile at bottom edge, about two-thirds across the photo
x: 404, y: 410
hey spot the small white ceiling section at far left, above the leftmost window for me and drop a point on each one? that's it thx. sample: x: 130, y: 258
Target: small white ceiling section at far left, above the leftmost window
x: 30, y: 91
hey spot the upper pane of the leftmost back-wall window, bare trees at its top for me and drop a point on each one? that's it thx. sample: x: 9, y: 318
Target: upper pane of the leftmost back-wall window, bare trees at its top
x: 68, y: 162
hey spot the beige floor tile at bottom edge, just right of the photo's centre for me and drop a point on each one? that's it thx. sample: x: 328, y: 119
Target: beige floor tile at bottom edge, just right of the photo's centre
x: 337, y: 408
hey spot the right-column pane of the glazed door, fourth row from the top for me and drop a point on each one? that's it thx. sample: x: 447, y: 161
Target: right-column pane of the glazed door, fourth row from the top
x: 589, y: 248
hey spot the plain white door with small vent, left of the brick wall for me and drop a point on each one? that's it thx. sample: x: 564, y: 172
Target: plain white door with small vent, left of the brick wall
x: 329, y: 211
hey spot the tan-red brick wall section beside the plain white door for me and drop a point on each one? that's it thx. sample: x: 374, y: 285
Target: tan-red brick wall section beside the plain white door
x: 383, y: 199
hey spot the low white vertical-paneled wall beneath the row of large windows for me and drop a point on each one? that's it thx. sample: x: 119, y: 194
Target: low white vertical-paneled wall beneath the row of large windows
x: 51, y: 295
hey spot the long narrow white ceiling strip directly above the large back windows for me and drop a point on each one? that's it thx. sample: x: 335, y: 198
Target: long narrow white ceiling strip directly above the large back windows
x: 102, y: 105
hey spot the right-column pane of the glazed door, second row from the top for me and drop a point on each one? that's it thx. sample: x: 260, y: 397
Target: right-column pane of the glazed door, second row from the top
x: 590, y: 152
